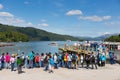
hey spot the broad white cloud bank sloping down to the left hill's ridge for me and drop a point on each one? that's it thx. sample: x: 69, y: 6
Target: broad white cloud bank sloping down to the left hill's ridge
x: 10, y: 19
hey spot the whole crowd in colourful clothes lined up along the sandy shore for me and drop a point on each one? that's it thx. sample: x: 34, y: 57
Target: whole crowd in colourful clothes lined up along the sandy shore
x: 51, y: 61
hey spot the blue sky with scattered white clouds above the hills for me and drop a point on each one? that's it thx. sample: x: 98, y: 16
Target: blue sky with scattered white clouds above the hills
x: 68, y: 17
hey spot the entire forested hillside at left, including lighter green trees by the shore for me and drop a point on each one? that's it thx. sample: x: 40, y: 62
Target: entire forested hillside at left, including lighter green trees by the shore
x: 15, y: 34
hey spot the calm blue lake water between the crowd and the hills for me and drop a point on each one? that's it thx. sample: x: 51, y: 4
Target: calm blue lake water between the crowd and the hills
x: 37, y: 47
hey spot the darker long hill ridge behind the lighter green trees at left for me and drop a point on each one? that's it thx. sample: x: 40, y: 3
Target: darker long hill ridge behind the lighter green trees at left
x: 35, y: 34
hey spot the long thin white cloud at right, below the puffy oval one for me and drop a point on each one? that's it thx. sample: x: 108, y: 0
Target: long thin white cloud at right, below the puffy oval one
x: 95, y: 18
